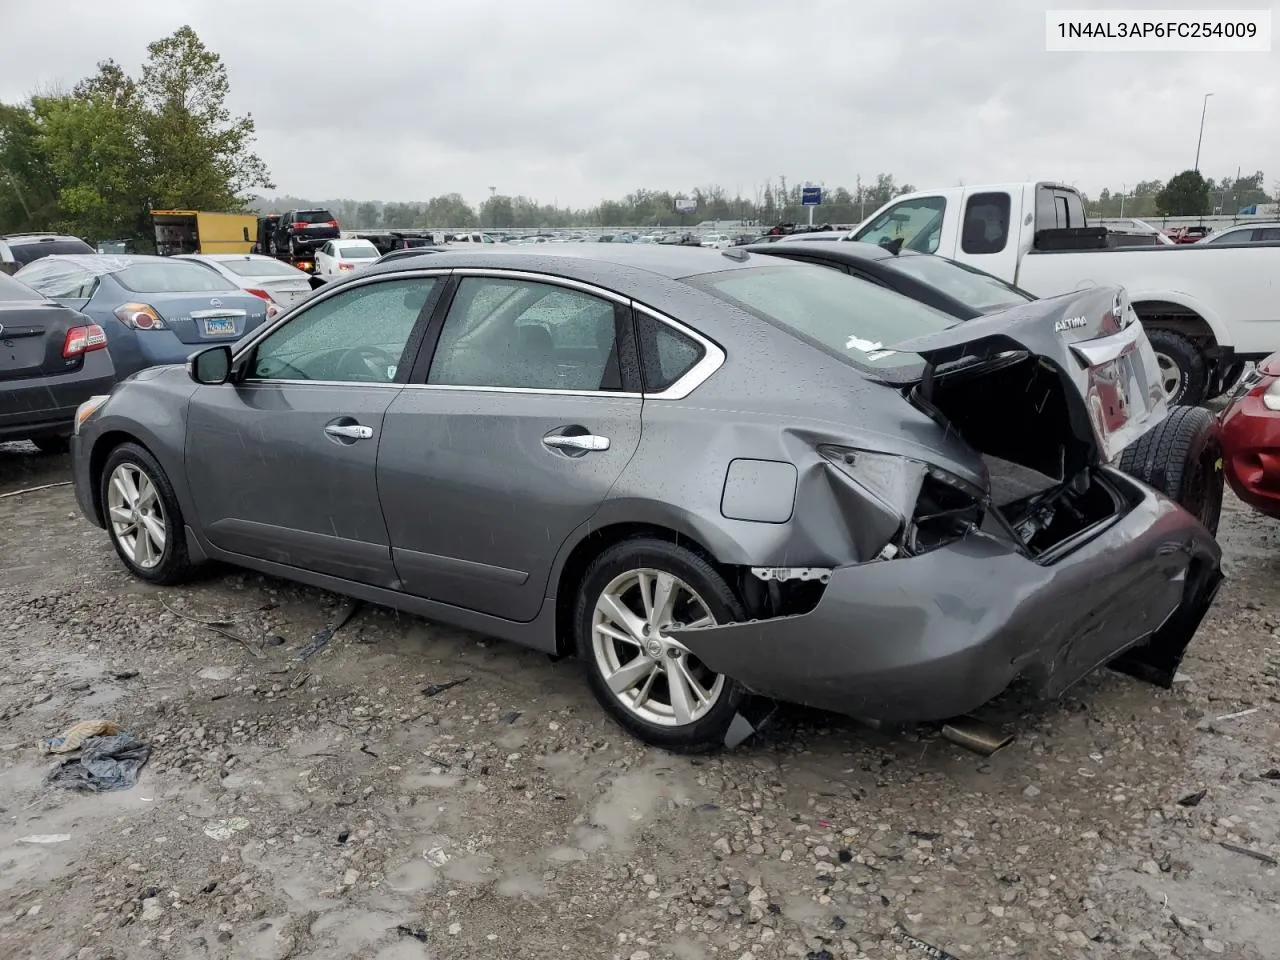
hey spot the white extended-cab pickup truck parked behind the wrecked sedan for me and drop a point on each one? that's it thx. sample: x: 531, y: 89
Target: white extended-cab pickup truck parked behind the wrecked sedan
x: 1208, y: 308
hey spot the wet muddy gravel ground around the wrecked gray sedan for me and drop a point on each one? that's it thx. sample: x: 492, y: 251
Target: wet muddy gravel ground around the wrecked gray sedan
x: 331, y: 808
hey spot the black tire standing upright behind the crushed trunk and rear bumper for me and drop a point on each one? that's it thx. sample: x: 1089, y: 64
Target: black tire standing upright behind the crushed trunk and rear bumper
x: 1183, y: 459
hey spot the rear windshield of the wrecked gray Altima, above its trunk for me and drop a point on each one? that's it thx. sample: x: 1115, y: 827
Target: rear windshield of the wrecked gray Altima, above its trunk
x: 847, y: 318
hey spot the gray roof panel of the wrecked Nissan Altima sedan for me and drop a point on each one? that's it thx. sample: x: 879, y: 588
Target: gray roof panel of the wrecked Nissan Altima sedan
x: 671, y: 262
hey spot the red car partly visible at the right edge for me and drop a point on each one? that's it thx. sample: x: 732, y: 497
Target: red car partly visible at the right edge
x: 1251, y: 438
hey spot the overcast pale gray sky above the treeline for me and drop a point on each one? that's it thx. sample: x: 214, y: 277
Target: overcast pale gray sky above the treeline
x: 582, y: 100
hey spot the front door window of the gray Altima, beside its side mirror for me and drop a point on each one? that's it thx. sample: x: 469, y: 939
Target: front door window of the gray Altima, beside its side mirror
x: 358, y: 336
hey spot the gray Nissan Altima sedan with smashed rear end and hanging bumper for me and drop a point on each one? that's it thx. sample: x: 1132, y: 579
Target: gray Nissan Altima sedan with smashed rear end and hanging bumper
x: 717, y: 478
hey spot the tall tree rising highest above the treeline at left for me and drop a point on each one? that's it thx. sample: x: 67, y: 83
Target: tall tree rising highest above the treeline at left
x: 199, y: 156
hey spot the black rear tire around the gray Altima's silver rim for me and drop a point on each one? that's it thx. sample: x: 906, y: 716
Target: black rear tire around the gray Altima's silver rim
x: 706, y: 733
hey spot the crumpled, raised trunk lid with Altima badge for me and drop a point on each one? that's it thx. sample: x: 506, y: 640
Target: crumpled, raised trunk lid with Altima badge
x: 1058, y: 385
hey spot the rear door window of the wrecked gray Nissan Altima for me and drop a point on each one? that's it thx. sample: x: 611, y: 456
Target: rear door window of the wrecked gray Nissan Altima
x: 529, y: 336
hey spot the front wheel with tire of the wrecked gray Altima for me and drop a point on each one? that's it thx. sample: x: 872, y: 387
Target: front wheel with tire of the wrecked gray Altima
x: 143, y: 516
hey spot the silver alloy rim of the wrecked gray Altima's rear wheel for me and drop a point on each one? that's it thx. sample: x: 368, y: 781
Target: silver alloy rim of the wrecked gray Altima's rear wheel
x: 652, y: 675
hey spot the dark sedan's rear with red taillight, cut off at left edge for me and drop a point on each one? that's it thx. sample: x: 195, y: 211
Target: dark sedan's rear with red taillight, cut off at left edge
x: 52, y: 360
